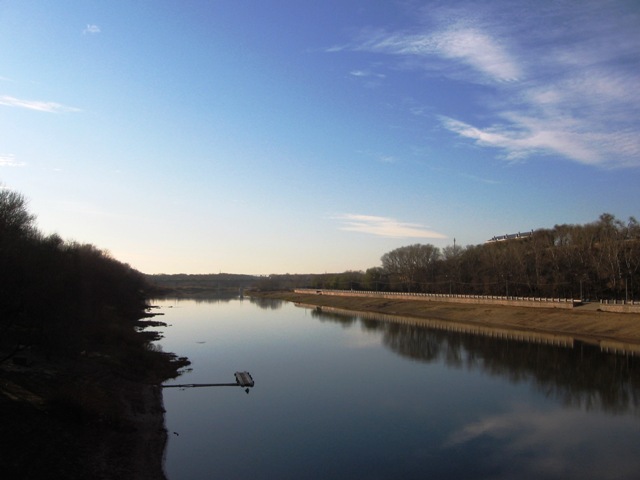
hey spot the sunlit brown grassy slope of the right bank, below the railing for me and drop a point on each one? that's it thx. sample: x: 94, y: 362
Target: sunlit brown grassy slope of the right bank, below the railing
x: 585, y: 323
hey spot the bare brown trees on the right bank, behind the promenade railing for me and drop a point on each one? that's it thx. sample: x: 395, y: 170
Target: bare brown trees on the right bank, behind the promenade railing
x: 598, y: 260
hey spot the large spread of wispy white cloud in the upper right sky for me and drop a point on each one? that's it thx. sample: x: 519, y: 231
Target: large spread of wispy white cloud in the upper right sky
x: 559, y: 80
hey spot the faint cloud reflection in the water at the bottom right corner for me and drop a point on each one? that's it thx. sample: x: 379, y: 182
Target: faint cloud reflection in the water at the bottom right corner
x: 557, y: 444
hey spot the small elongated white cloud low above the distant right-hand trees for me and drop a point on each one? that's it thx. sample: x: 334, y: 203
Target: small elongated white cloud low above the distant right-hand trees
x: 385, y: 227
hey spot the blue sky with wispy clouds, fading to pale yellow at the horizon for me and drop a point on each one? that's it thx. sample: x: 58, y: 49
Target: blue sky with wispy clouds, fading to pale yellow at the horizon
x: 287, y: 136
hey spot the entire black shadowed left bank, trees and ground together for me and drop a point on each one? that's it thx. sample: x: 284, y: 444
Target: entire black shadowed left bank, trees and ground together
x: 79, y: 372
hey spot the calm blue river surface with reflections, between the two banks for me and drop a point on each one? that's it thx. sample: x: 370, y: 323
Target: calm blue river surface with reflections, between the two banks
x: 344, y: 397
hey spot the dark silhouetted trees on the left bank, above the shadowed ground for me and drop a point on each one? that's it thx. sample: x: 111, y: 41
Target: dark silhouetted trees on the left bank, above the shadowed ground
x: 65, y: 298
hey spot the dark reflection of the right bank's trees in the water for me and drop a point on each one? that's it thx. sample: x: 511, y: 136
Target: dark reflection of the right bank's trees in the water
x: 582, y: 376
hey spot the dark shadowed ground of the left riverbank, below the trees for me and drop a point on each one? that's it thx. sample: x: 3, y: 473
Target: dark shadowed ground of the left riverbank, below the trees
x: 98, y: 416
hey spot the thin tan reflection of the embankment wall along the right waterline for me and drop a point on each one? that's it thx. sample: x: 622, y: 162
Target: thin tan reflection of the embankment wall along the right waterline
x: 500, y: 333
